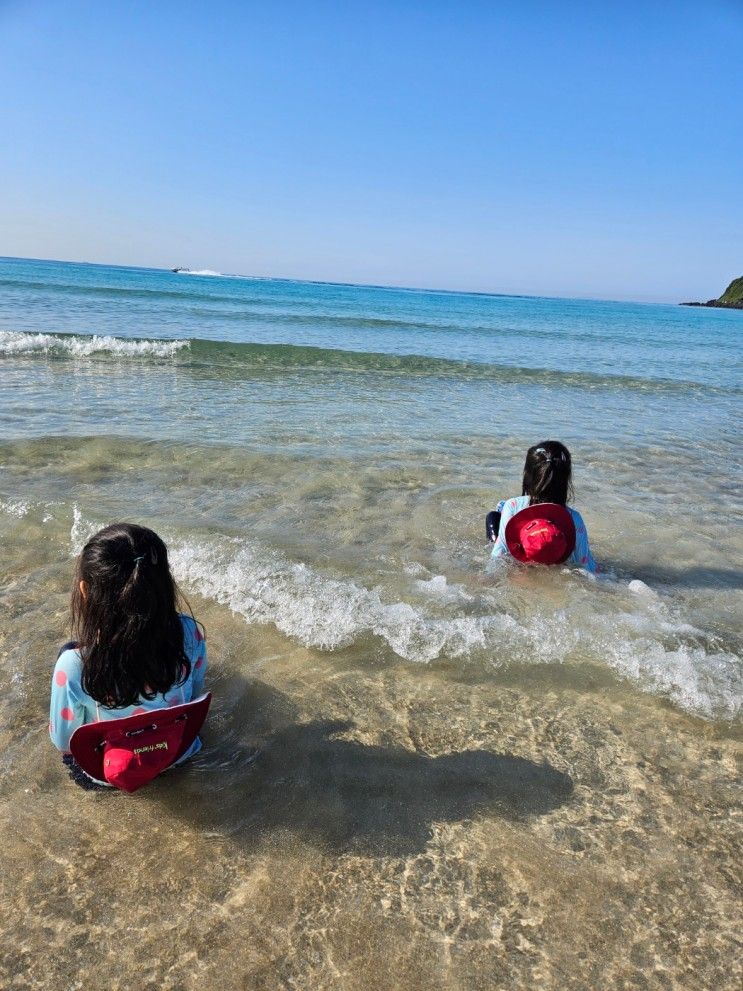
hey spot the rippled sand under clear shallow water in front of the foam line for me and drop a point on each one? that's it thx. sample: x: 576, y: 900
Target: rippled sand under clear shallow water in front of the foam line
x: 356, y: 822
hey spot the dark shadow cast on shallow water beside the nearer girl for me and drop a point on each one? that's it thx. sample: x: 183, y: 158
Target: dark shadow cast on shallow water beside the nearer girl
x: 340, y: 794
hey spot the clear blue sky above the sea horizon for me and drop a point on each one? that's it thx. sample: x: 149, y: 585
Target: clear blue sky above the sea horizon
x: 560, y: 148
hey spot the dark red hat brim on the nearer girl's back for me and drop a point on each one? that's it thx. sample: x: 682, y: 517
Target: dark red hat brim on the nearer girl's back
x: 86, y: 741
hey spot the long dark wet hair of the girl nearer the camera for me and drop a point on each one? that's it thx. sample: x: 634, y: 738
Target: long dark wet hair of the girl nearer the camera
x: 126, y: 618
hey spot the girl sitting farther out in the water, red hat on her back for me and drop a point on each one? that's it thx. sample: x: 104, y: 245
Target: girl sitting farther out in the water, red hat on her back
x: 539, y: 527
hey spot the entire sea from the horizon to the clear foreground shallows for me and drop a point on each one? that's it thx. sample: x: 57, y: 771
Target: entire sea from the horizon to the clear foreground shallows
x: 418, y: 772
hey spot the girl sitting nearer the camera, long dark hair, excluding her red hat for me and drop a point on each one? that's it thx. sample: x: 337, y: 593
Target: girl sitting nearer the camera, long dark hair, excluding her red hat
x: 134, y: 651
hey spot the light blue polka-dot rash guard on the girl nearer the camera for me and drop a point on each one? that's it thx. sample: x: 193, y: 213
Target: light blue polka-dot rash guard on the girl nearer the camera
x: 71, y: 706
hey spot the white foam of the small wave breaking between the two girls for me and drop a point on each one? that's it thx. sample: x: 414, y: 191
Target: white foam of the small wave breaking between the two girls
x: 325, y: 613
